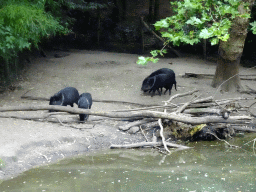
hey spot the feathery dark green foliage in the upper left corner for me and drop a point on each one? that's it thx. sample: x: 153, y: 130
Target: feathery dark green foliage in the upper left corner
x: 23, y: 23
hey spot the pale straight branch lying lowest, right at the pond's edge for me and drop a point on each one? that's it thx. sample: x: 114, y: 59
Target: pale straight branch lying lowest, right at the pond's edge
x: 149, y: 144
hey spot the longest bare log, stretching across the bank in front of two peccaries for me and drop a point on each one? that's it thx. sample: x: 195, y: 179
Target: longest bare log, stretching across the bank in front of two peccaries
x: 149, y: 114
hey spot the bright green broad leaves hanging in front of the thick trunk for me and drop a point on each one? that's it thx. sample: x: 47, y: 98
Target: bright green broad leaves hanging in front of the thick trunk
x: 199, y: 19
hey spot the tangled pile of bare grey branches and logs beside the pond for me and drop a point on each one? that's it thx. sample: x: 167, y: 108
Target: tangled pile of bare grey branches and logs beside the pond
x: 226, y: 111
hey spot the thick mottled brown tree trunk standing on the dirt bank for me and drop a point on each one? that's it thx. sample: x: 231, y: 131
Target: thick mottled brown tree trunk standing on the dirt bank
x: 230, y: 52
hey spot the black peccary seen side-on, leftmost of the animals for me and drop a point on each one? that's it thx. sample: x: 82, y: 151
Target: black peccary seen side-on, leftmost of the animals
x: 66, y: 96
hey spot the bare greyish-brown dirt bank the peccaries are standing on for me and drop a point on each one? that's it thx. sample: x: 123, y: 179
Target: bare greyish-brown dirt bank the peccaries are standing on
x: 25, y: 144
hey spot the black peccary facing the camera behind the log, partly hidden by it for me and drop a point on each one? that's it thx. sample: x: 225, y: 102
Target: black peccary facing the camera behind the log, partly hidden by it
x: 84, y: 102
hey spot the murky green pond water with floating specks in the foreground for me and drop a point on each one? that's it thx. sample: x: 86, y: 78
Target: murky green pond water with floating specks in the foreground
x: 209, y: 166
